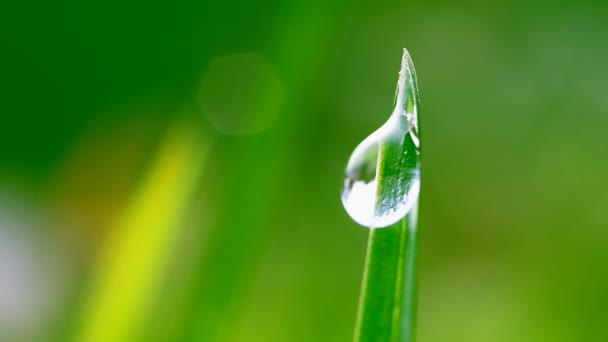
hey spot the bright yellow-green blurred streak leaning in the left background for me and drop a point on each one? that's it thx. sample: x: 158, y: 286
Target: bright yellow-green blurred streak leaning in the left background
x: 134, y: 259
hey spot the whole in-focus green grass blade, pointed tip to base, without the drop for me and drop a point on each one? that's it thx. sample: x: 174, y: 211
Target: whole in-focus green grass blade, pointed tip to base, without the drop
x: 387, y: 304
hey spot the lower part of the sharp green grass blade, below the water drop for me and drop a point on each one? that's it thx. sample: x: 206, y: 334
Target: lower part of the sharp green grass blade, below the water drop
x: 387, y: 305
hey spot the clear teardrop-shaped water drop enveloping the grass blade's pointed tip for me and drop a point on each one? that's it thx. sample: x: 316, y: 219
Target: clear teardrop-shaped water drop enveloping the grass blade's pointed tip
x: 382, y: 180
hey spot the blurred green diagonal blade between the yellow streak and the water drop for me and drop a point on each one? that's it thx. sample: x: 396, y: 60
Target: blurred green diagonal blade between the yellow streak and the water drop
x: 235, y: 249
